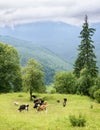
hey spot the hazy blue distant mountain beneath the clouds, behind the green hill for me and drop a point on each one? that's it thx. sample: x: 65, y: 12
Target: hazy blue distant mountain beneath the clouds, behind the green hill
x: 58, y: 37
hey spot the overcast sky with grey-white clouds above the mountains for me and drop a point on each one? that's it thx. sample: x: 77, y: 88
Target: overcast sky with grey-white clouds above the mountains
x: 13, y: 12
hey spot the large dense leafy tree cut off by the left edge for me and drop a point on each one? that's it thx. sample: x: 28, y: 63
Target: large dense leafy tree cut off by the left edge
x: 10, y: 72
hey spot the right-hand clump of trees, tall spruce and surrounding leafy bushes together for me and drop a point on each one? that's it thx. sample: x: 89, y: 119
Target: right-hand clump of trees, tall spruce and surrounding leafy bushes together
x: 84, y: 79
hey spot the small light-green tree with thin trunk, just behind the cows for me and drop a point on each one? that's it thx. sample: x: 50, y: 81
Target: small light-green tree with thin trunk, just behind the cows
x: 33, y: 77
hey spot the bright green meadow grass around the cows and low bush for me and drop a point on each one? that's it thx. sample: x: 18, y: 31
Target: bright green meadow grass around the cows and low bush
x: 56, y: 118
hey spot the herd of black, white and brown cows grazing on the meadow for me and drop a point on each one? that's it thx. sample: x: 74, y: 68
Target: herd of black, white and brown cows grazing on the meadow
x: 39, y: 104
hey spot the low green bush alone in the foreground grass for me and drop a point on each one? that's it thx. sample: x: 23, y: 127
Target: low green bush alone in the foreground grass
x: 77, y: 121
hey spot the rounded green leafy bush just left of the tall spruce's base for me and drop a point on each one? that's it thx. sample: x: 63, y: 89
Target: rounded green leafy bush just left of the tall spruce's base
x: 64, y: 82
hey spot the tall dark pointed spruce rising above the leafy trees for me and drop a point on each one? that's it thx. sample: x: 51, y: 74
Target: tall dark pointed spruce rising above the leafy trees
x: 86, y: 57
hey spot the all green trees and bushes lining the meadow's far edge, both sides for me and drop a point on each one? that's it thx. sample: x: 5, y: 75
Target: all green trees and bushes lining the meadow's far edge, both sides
x: 83, y: 80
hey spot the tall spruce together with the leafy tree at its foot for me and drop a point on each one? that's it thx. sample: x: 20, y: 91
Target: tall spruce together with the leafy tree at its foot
x: 85, y: 68
